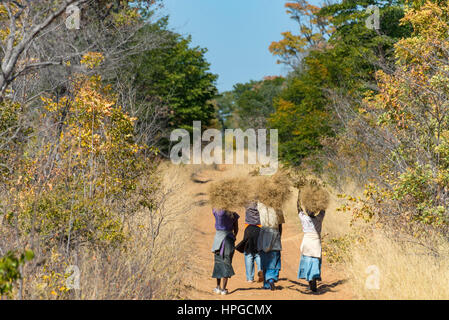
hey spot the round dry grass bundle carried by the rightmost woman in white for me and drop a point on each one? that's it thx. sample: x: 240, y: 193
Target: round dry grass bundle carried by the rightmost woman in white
x: 313, y: 198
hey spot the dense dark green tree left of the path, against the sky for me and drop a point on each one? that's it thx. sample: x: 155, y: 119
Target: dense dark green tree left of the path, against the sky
x: 179, y: 76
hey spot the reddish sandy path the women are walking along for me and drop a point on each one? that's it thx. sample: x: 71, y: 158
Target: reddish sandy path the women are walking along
x: 333, y: 286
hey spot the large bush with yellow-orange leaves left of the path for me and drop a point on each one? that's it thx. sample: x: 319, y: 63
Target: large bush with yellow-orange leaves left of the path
x: 79, y: 184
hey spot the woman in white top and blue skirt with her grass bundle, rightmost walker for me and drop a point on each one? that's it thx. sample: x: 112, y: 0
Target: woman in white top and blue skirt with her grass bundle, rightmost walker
x: 312, y: 203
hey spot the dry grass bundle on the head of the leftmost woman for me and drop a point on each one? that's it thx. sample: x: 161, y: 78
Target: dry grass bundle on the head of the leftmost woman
x: 230, y: 194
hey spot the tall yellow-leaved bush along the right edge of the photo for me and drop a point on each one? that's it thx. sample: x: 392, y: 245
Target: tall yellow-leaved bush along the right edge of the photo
x: 408, y: 123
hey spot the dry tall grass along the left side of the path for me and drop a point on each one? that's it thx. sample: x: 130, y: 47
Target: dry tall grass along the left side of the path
x: 149, y: 264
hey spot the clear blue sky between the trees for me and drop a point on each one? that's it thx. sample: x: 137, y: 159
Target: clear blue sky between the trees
x: 237, y: 34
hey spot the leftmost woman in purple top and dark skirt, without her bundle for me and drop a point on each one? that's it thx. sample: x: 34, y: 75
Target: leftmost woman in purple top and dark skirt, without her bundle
x: 226, y: 226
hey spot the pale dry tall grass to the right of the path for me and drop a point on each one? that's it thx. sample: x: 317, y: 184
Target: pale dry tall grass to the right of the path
x: 406, y: 267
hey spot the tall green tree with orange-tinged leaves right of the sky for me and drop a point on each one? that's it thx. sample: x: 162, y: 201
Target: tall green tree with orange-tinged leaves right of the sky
x: 339, y: 58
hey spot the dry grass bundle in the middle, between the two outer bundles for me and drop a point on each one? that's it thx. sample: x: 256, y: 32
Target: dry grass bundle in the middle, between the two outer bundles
x: 273, y: 191
